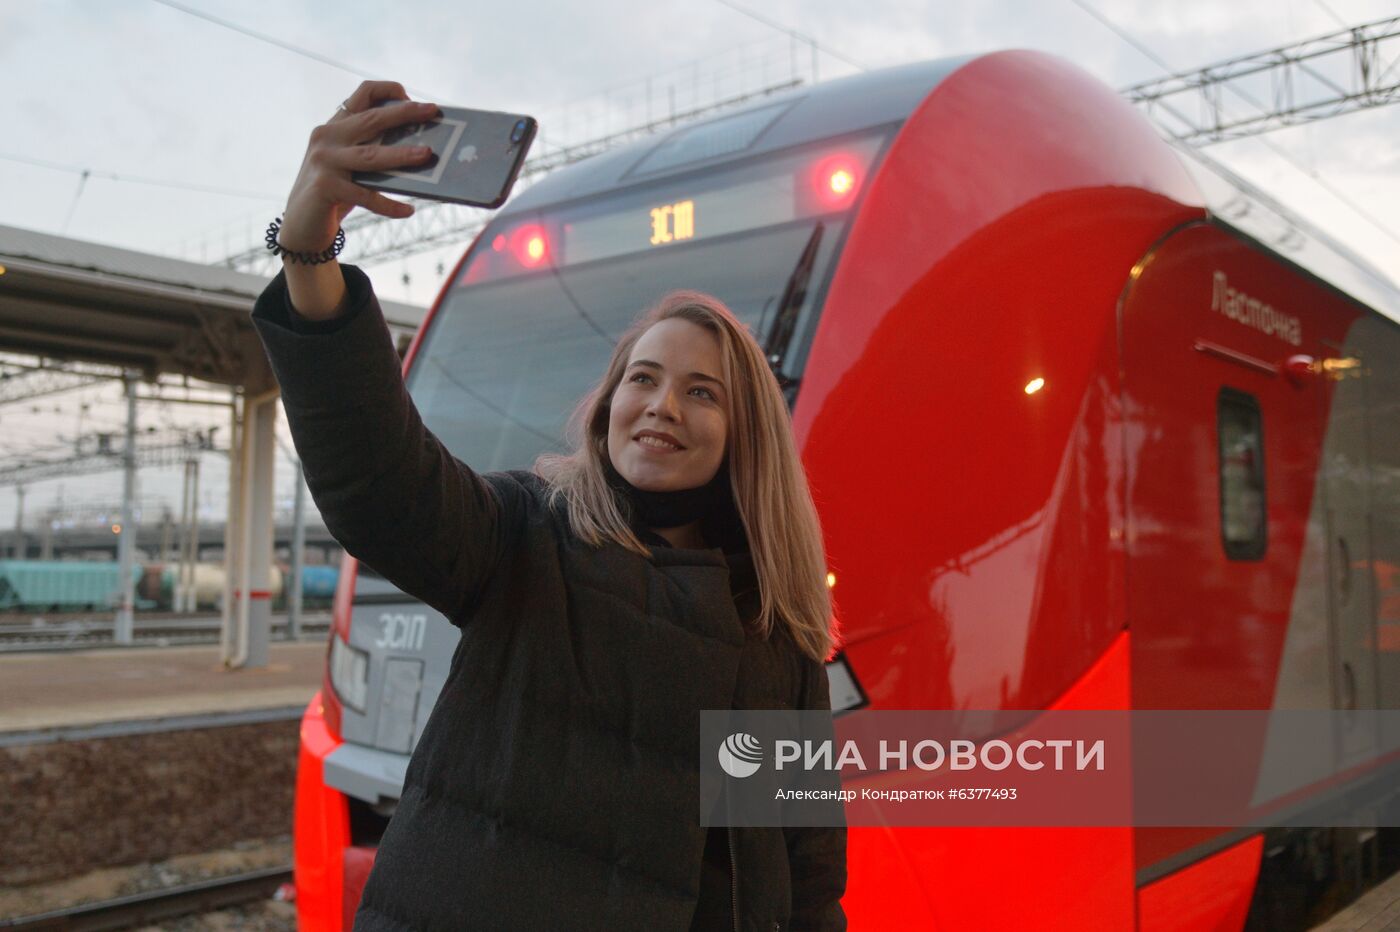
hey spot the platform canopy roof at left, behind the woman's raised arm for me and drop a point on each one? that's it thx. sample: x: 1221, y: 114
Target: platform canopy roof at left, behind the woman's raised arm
x: 72, y: 300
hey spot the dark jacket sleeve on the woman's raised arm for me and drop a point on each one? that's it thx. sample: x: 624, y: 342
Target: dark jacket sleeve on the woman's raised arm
x: 388, y: 490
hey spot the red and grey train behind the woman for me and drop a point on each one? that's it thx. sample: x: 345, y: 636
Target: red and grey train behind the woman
x: 1079, y: 442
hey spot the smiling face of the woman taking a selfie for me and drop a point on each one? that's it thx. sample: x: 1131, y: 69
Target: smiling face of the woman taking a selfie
x: 670, y: 388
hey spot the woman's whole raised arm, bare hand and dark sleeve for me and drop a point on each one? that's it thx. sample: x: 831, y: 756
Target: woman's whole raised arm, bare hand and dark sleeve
x: 387, y: 488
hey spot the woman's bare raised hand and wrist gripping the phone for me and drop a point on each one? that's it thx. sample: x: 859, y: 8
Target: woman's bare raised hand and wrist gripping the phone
x: 324, y: 192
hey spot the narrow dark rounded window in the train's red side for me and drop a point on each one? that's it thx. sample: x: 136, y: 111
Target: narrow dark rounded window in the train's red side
x: 1244, y: 507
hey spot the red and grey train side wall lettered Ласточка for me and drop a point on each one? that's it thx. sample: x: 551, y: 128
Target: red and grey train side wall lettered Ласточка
x: 1251, y: 409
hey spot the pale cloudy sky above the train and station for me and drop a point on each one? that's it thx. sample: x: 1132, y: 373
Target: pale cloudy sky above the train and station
x: 206, y: 99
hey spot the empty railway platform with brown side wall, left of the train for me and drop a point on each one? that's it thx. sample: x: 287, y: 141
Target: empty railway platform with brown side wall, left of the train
x: 113, y: 758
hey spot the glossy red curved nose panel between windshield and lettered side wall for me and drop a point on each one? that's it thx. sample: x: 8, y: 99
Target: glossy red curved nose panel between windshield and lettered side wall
x: 974, y: 517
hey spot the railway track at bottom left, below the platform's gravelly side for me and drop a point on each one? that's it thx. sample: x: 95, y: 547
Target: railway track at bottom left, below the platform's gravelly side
x: 157, y: 906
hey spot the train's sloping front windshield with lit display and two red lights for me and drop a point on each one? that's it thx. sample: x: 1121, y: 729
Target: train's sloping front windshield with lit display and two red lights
x: 530, y: 324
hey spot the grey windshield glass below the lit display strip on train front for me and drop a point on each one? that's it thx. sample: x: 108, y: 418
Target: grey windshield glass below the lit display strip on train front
x: 506, y: 360
